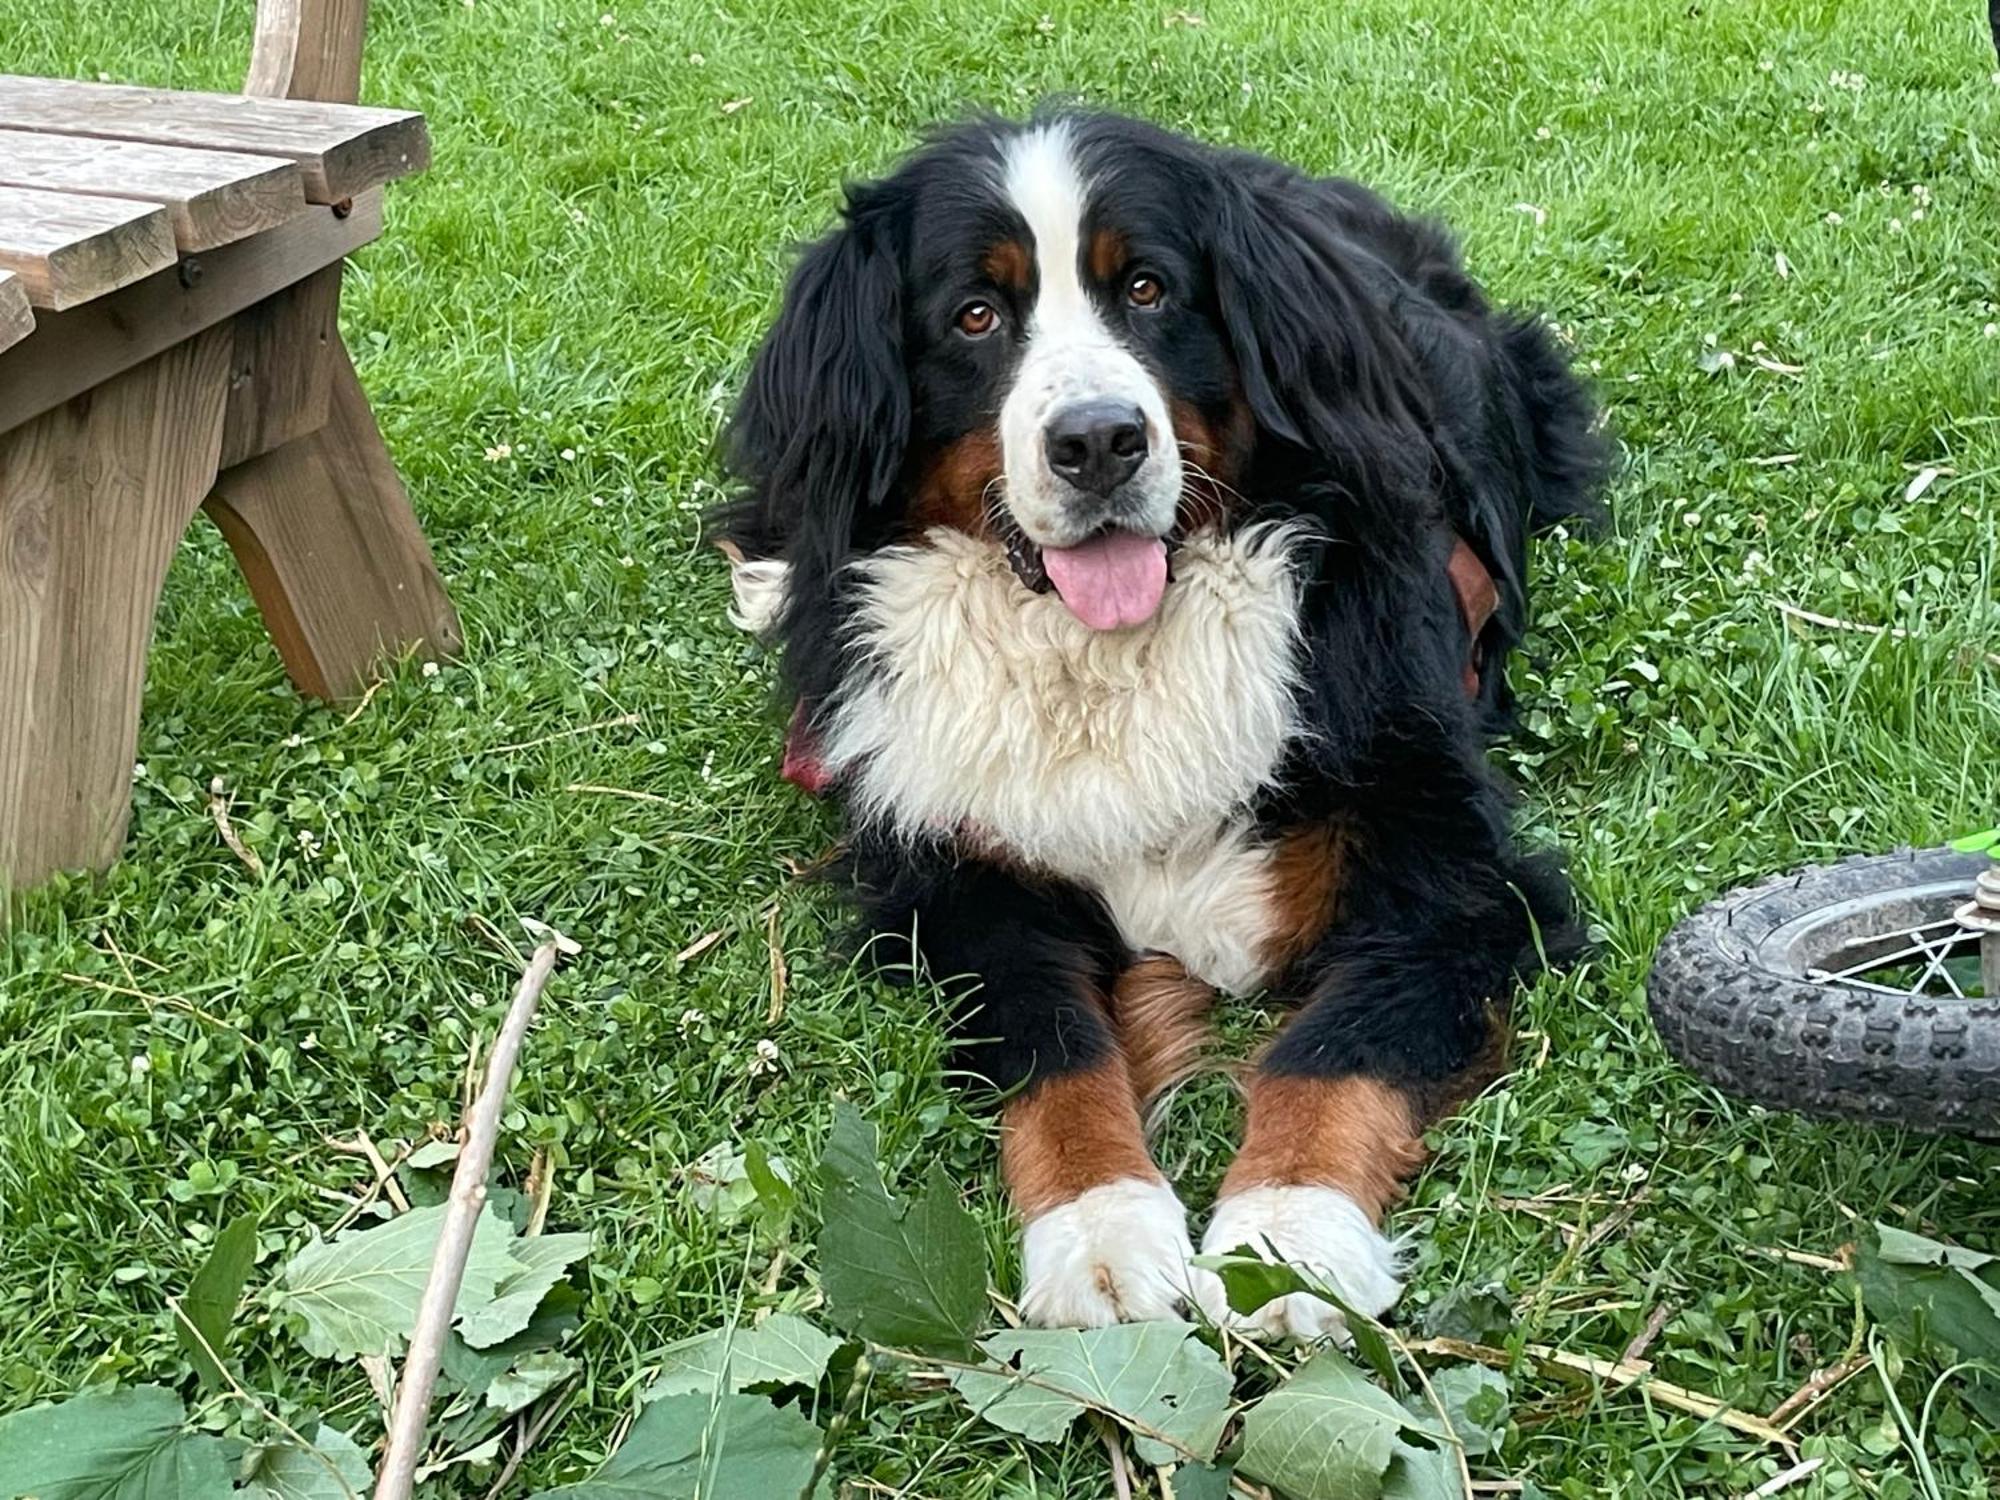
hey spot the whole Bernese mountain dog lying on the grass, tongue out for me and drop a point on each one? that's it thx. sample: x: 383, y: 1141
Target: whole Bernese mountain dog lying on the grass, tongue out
x: 1145, y: 527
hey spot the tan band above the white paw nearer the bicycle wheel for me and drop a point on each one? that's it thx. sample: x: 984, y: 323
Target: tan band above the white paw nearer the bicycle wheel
x: 1357, y: 1135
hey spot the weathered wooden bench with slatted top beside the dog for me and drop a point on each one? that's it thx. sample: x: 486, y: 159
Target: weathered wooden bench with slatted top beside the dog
x: 169, y: 341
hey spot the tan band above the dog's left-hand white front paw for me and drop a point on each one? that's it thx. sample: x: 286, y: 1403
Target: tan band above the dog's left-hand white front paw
x: 1069, y: 1135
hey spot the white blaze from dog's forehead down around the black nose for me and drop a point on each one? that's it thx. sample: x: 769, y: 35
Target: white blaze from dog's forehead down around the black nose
x: 1071, y: 355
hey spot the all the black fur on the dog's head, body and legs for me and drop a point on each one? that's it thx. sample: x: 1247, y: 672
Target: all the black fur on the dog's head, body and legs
x: 1393, y: 409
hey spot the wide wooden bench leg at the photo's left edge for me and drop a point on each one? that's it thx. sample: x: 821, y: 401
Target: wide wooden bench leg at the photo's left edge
x: 95, y: 499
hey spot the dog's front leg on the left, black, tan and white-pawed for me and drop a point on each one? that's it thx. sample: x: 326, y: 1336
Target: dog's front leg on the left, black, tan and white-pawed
x: 1033, y: 965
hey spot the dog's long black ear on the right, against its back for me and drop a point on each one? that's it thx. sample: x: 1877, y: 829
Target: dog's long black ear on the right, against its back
x: 1319, y: 361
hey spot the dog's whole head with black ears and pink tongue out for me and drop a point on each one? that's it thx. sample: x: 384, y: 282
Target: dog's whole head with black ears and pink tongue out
x: 1069, y: 337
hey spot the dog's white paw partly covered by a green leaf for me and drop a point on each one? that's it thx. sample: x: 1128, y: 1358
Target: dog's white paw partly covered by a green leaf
x: 1319, y: 1231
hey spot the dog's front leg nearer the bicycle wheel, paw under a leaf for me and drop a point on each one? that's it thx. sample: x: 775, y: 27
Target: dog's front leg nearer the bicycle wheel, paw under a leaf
x: 1403, y: 1017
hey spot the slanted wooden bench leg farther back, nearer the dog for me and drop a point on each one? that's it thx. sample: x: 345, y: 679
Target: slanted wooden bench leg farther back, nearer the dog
x: 335, y: 557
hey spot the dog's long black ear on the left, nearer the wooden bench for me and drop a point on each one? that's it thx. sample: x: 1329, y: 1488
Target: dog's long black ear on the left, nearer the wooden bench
x: 821, y: 429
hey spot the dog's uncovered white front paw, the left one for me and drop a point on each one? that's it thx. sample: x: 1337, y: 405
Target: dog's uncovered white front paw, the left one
x: 1111, y: 1255
